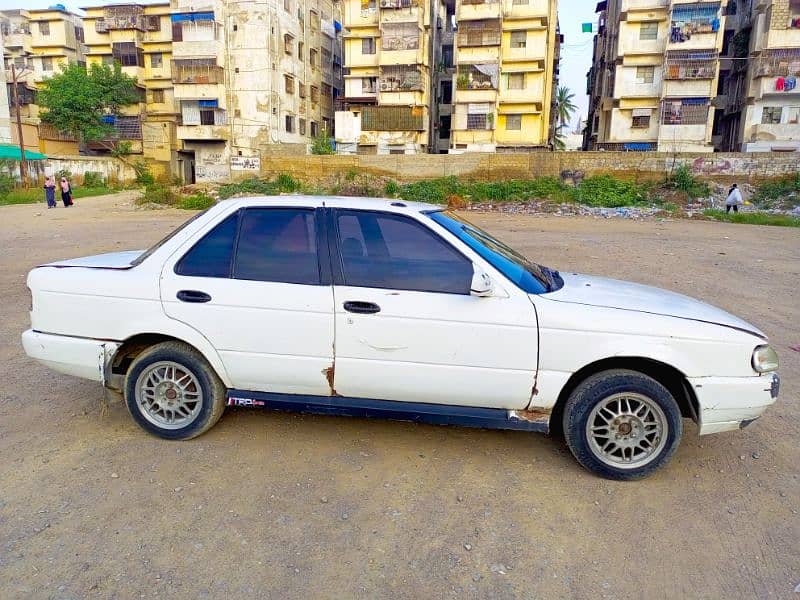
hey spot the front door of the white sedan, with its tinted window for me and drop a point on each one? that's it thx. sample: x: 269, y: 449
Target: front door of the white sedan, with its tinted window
x: 407, y: 328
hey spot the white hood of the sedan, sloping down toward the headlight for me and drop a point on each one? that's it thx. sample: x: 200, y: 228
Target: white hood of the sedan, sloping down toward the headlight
x: 624, y: 295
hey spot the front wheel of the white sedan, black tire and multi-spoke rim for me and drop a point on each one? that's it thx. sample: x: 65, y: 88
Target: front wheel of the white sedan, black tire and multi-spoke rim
x: 622, y: 424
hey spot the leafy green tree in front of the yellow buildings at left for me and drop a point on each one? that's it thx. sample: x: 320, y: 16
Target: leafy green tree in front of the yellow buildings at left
x: 76, y: 100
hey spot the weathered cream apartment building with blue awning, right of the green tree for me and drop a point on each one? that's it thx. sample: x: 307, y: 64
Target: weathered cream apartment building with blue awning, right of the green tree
x: 249, y: 76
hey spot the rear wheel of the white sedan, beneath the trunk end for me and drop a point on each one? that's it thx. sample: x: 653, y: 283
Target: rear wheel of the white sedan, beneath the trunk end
x: 172, y: 392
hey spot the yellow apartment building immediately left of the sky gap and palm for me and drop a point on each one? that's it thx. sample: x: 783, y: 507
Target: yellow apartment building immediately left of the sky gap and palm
x: 506, y: 75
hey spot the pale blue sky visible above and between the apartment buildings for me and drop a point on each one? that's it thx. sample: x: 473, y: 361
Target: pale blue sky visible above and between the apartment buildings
x: 576, y: 54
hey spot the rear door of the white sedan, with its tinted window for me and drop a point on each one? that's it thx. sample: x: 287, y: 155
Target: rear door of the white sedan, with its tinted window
x: 255, y: 287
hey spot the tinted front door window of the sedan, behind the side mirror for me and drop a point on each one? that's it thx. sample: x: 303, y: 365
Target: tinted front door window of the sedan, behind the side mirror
x: 395, y: 252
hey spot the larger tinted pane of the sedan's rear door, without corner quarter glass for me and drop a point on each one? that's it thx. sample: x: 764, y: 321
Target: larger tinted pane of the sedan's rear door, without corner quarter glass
x: 277, y: 244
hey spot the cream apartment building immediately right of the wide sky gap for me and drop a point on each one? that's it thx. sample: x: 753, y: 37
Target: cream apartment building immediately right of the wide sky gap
x: 654, y: 75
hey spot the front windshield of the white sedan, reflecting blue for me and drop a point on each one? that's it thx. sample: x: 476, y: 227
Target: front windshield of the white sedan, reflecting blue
x: 527, y: 275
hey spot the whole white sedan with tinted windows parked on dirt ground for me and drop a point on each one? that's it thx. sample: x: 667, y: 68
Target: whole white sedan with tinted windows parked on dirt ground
x: 380, y: 308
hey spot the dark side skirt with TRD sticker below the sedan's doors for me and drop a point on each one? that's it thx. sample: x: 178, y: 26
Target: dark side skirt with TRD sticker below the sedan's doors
x: 416, y: 412
